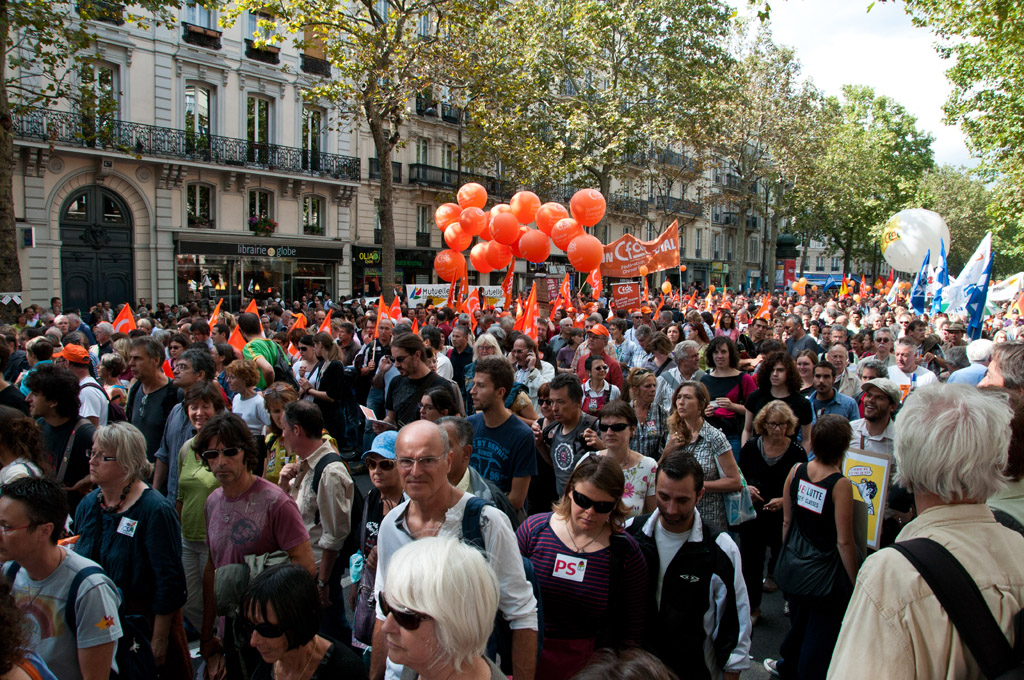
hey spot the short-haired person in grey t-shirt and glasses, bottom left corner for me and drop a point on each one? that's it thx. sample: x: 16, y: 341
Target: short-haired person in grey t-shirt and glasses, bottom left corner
x: 33, y: 513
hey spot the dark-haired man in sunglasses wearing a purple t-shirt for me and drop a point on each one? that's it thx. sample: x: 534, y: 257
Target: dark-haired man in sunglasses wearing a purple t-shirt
x: 247, y: 516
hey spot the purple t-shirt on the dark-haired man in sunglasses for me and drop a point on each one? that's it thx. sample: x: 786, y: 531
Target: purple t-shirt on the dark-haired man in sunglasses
x: 262, y: 521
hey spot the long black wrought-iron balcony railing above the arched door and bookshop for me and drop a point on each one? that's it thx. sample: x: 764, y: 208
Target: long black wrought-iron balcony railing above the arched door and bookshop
x: 73, y: 130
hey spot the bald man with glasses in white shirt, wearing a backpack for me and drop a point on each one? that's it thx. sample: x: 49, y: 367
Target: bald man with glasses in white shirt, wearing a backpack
x: 436, y: 507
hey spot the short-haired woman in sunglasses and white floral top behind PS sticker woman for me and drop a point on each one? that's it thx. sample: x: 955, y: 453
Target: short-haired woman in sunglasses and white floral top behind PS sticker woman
x: 616, y: 427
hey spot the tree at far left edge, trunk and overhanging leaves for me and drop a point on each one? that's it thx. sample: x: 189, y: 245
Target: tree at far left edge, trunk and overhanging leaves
x: 42, y: 47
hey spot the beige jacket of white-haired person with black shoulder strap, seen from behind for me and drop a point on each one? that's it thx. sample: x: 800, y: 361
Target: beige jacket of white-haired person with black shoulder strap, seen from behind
x: 895, y: 628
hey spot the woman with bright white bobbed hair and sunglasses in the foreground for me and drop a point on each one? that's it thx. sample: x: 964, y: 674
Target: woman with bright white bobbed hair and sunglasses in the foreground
x: 440, y: 604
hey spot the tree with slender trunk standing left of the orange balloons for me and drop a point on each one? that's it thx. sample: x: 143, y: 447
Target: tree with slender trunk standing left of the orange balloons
x: 385, y: 54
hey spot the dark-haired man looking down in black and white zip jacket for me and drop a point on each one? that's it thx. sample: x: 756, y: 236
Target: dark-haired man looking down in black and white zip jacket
x: 698, y: 602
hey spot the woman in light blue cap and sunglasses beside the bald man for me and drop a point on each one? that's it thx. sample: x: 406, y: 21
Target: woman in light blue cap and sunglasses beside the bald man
x: 386, y: 495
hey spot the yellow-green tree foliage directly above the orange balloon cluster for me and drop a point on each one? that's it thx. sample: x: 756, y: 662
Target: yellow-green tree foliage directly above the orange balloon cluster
x: 586, y: 91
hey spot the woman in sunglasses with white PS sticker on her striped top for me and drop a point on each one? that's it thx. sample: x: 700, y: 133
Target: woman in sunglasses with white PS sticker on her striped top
x: 592, y: 576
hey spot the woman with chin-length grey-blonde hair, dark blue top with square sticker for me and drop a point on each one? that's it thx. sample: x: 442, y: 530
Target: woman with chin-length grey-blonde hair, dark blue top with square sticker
x: 134, y: 533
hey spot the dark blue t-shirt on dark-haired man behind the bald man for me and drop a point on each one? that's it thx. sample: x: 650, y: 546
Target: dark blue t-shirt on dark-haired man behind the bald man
x: 504, y: 452
